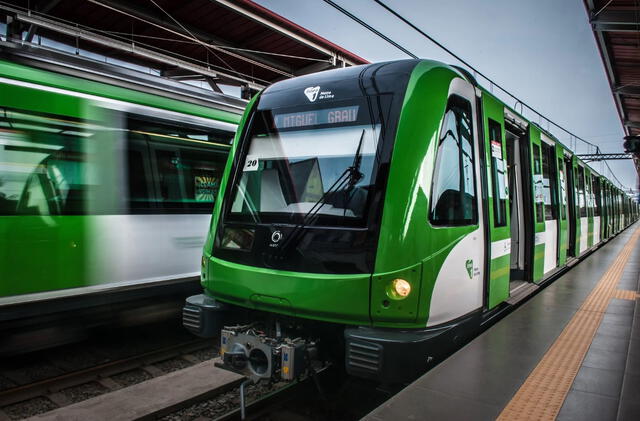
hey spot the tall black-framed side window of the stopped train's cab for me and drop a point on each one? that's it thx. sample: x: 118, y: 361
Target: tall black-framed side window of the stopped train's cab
x: 453, y: 192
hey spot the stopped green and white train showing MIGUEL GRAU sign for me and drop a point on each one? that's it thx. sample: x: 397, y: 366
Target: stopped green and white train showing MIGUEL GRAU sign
x: 374, y: 213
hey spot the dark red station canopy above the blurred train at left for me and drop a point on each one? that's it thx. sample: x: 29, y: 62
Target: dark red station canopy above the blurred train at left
x: 222, y: 42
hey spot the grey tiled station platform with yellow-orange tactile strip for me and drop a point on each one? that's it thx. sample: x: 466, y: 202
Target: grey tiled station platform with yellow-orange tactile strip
x: 572, y: 352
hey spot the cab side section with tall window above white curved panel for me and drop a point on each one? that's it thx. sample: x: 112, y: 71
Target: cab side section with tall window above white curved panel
x: 457, y: 214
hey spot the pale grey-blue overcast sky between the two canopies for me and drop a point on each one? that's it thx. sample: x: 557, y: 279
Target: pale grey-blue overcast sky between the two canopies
x: 543, y: 51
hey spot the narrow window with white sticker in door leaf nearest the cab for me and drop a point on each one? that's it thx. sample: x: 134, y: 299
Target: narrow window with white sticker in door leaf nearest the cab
x: 498, y: 167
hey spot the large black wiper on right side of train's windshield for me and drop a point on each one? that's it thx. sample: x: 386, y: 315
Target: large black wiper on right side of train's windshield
x: 349, y: 178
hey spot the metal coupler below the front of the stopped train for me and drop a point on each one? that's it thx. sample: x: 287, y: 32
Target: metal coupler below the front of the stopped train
x: 251, y: 352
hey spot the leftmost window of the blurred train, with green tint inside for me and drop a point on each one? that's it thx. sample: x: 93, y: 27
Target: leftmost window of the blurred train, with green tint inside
x: 44, y: 168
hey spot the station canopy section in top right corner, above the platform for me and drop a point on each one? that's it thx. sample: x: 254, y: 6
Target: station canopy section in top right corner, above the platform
x: 616, y: 26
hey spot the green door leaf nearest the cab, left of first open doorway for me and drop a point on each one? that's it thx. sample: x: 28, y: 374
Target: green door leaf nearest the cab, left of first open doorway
x: 499, y: 267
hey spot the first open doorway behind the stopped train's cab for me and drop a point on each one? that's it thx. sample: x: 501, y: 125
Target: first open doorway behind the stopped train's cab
x: 515, y: 145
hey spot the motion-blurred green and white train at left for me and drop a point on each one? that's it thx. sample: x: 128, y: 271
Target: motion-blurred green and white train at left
x: 107, y: 183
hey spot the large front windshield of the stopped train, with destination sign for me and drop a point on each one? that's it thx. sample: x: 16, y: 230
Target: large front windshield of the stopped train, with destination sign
x: 315, y: 165
